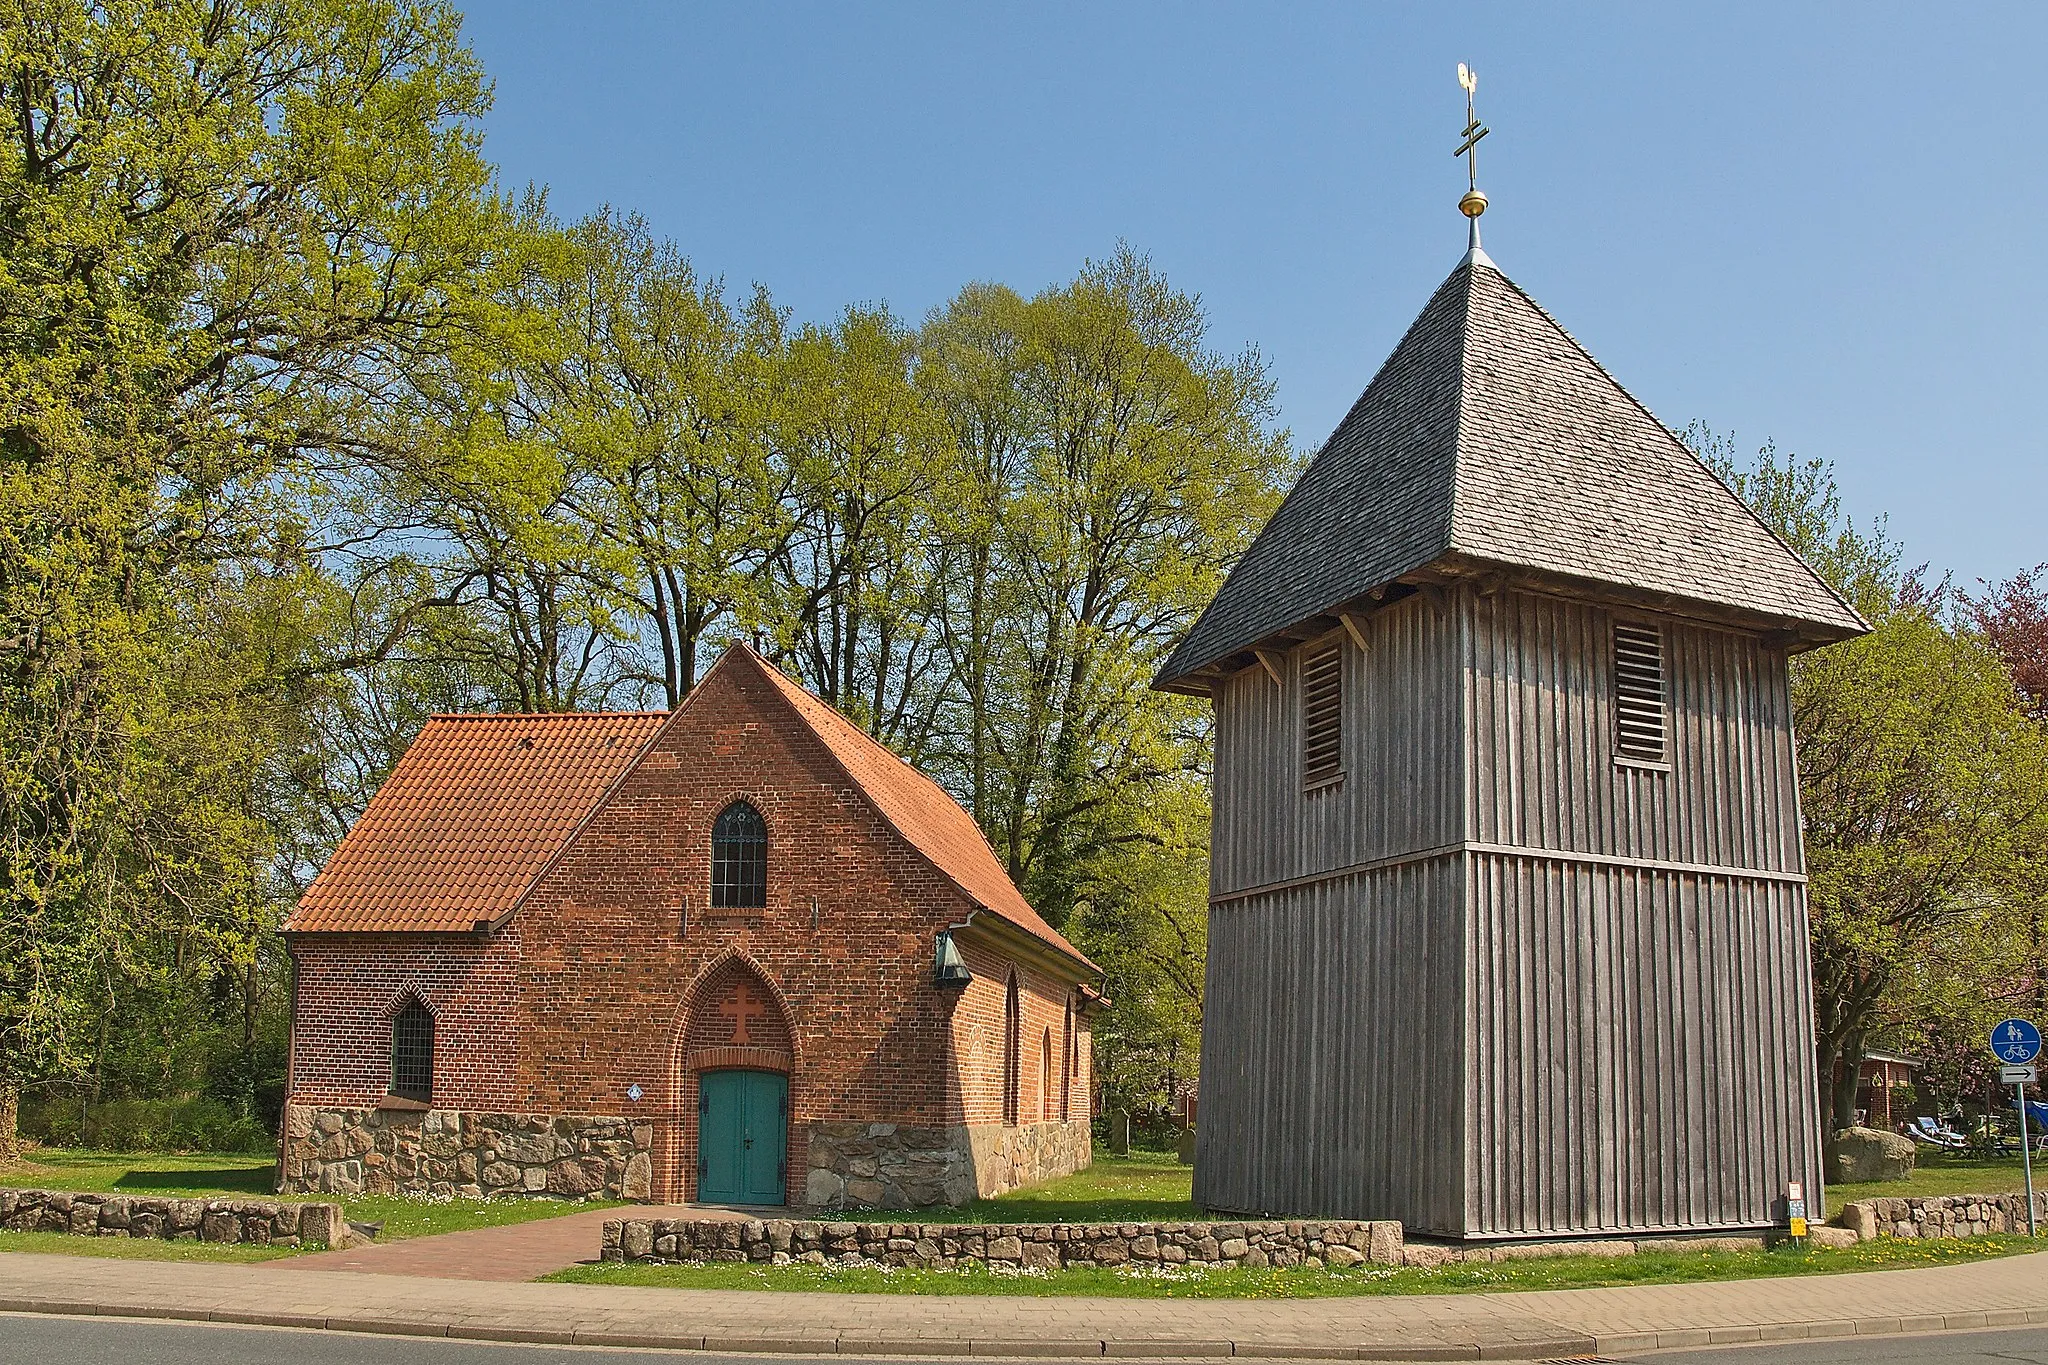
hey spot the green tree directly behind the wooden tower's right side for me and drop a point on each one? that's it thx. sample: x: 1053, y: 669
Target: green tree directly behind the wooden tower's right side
x: 1922, y: 779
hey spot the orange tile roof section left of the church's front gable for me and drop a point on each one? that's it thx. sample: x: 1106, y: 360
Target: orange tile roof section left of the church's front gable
x: 474, y: 809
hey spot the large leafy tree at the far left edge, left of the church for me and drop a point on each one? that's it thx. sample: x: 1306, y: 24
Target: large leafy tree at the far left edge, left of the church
x: 222, y: 230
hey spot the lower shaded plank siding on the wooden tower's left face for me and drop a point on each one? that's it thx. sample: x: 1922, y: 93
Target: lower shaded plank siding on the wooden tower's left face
x: 1332, y: 1051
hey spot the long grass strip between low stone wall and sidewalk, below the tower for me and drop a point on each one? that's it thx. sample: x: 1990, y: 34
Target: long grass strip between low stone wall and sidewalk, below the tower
x: 1310, y: 1284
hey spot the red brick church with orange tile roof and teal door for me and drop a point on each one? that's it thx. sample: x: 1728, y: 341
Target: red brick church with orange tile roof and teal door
x: 732, y: 955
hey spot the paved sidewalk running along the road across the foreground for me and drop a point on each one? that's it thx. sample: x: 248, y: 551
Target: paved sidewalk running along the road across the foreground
x: 2008, y: 1292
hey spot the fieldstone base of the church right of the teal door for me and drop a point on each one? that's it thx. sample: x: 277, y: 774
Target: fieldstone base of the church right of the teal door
x: 904, y: 1168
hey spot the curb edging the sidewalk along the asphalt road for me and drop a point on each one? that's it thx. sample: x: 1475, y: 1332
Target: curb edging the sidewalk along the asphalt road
x: 1529, y: 1350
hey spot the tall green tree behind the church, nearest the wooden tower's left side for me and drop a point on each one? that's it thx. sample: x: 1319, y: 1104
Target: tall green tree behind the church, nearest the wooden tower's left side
x: 1115, y: 468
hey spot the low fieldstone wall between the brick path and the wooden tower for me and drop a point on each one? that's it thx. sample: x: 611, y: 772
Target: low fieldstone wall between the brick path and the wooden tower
x: 779, y: 1241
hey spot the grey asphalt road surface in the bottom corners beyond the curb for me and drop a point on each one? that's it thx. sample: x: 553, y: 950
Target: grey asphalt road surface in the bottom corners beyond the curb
x: 93, y: 1341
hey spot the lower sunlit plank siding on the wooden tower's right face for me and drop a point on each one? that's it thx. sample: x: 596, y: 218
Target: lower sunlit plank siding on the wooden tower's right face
x: 1637, y: 1063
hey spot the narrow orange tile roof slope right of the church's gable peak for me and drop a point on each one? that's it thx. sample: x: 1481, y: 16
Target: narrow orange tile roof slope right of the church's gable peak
x: 923, y: 811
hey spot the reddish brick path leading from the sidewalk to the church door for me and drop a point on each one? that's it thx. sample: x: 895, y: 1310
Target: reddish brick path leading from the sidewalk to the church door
x: 511, y: 1253
